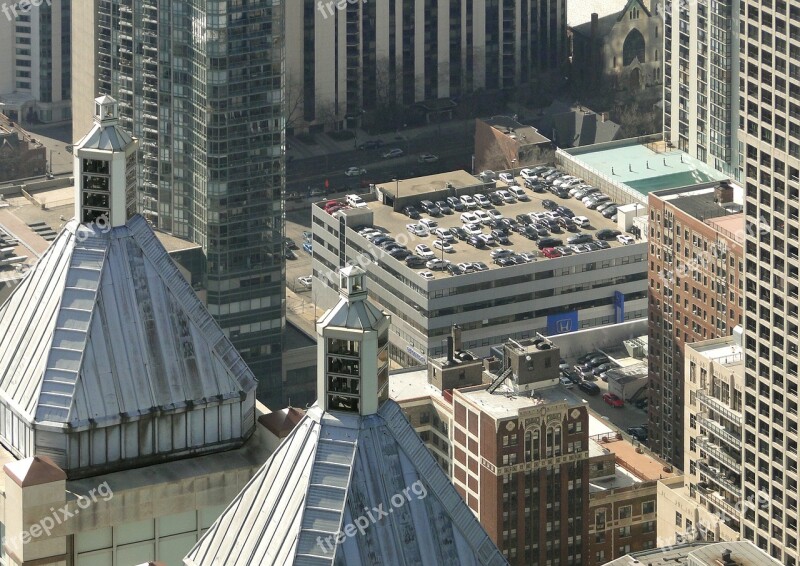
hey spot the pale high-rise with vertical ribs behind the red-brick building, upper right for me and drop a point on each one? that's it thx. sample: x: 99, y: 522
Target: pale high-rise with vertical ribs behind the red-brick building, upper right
x: 701, y: 78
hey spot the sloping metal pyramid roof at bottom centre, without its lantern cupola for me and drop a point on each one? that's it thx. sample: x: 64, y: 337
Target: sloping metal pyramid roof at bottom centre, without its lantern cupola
x: 332, y: 472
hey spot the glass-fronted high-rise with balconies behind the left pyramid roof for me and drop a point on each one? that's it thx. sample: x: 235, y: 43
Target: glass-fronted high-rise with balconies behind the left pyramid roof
x: 202, y: 90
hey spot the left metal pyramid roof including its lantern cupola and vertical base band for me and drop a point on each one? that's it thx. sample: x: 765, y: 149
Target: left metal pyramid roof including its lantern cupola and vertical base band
x: 104, y: 340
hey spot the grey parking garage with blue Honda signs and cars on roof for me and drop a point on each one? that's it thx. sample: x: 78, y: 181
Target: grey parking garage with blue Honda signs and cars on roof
x: 551, y: 296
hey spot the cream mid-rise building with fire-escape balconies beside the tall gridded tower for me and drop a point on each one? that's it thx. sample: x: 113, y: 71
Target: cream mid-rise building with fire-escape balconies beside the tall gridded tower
x: 705, y: 504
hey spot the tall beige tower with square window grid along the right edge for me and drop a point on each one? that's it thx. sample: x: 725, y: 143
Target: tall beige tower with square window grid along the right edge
x: 770, y: 134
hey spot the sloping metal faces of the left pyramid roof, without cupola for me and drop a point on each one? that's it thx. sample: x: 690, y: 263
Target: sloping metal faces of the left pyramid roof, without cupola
x: 104, y: 330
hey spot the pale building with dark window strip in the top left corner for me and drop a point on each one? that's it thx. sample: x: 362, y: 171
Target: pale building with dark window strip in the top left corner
x: 35, y: 61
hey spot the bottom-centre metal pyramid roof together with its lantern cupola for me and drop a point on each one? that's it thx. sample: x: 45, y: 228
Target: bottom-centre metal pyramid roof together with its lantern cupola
x: 352, y: 483
